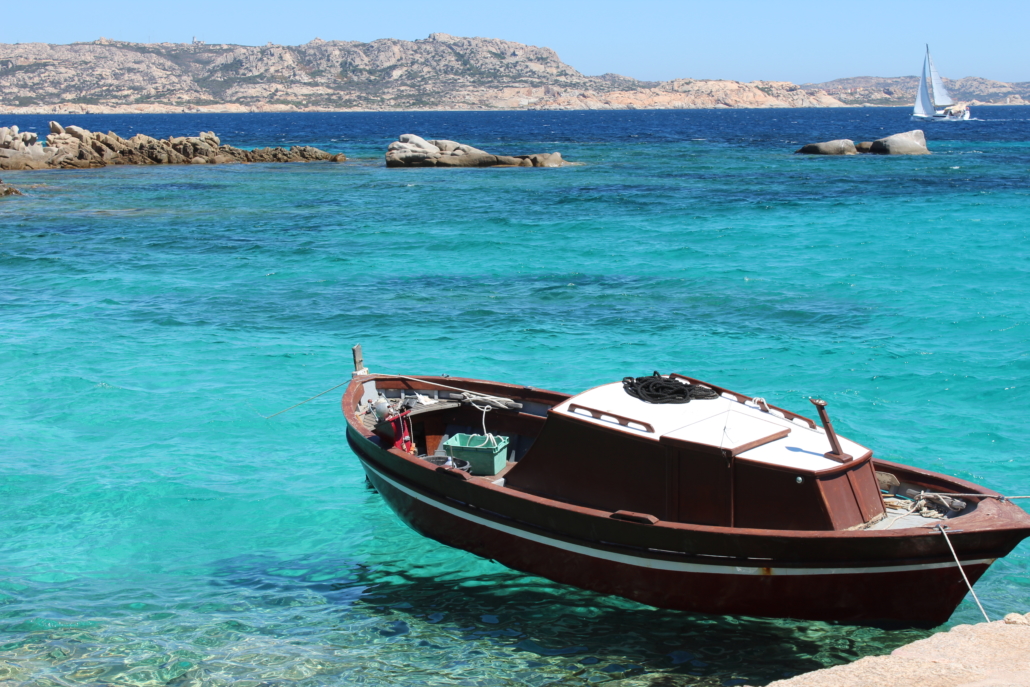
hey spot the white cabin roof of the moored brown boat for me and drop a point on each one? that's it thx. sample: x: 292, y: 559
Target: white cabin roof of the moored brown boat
x: 726, y: 423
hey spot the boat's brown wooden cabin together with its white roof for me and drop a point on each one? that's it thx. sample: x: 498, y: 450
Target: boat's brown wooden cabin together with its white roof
x: 729, y: 462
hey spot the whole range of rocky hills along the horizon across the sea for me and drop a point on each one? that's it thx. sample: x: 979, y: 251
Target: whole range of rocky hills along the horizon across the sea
x: 439, y: 73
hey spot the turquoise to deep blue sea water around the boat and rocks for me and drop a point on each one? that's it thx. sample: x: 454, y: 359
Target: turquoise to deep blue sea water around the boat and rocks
x: 157, y: 530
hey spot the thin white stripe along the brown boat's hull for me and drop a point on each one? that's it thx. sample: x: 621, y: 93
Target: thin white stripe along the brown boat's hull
x: 655, y: 564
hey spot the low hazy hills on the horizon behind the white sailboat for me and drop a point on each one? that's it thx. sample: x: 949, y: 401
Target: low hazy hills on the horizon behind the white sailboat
x: 902, y: 91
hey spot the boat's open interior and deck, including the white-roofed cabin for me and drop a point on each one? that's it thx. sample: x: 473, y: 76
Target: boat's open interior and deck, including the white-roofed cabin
x: 729, y: 461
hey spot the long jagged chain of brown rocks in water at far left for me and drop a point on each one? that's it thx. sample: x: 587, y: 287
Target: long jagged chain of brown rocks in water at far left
x: 75, y: 148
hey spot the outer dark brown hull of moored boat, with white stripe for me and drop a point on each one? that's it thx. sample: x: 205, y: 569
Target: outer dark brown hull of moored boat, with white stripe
x: 869, y: 578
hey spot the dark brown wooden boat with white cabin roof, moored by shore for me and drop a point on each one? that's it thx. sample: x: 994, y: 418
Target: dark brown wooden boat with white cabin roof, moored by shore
x: 724, y: 506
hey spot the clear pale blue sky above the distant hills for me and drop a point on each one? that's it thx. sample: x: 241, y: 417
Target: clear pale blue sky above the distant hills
x: 793, y: 41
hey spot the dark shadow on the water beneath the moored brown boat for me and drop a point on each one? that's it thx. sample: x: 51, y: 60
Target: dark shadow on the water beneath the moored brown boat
x: 589, y: 636
